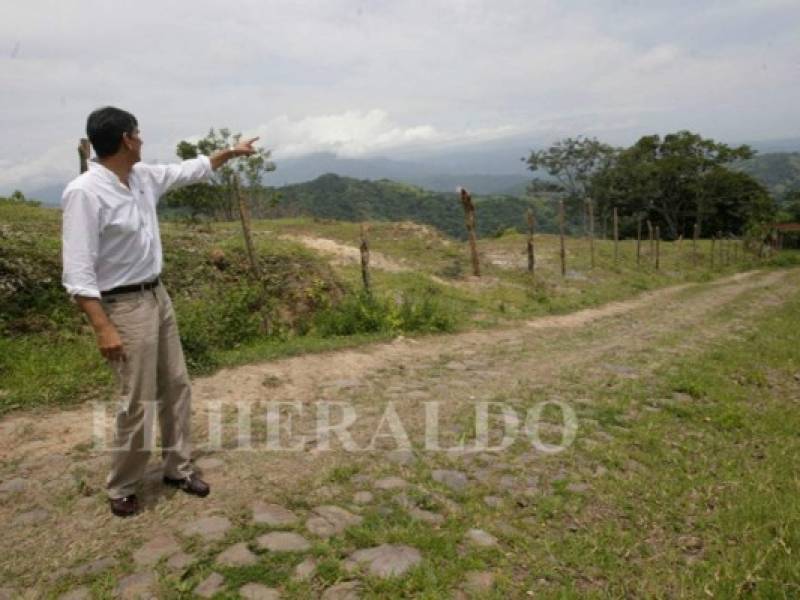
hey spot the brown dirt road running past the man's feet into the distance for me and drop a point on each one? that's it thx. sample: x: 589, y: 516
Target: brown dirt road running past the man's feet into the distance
x: 58, y: 534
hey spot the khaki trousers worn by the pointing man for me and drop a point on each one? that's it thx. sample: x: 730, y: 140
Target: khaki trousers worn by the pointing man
x: 152, y: 380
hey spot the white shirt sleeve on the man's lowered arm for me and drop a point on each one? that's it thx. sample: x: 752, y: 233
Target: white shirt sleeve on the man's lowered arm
x: 80, y: 242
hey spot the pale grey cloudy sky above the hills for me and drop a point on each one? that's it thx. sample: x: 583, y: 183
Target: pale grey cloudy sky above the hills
x: 378, y: 77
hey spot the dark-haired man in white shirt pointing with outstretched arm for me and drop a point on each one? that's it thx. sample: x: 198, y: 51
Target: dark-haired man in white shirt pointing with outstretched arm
x: 112, y: 263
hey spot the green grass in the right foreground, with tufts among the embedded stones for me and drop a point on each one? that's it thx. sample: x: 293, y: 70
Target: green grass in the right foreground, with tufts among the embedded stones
x: 698, y: 498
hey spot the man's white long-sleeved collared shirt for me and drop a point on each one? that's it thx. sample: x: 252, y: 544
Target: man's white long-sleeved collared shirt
x: 111, y: 235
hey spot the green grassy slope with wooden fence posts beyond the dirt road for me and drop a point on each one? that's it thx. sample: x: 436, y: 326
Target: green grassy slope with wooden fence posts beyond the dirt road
x: 47, y: 353
